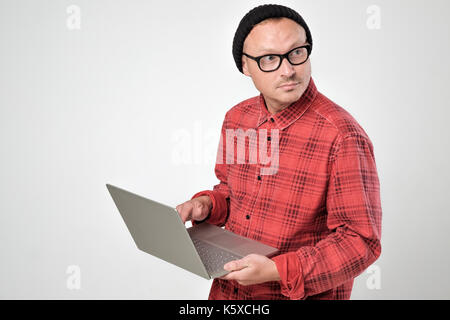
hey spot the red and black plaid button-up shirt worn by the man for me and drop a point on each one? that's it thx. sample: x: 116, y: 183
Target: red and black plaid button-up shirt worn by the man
x: 321, y: 208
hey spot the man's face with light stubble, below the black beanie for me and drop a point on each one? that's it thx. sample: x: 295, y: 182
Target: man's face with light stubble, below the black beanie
x: 277, y: 36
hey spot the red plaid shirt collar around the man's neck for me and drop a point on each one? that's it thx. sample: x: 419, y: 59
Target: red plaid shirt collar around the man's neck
x: 287, y: 116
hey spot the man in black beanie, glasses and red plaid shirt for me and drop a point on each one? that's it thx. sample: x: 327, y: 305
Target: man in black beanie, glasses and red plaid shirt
x: 320, y: 203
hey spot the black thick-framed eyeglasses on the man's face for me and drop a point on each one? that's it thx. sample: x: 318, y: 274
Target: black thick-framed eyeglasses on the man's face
x: 271, y: 62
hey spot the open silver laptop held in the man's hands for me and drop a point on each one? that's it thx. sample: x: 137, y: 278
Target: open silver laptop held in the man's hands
x: 202, y: 249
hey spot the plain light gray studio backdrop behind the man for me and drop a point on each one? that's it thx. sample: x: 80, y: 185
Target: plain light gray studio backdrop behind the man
x: 133, y: 93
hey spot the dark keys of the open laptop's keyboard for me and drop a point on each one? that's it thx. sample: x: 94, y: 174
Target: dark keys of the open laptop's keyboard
x: 213, y: 257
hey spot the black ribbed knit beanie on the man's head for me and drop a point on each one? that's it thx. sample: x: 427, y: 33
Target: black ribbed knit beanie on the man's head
x: 255, y: 16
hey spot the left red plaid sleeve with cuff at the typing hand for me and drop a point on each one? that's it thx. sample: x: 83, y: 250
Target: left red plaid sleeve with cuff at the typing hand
x: 220, y: 194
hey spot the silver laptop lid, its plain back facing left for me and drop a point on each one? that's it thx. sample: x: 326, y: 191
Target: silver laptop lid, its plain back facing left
x: 158, y: 230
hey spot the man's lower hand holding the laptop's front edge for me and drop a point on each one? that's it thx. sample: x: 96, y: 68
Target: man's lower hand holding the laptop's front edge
x: 252, y: 269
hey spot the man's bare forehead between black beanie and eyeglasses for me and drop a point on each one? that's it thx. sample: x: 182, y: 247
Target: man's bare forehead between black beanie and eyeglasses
x: 274, y: 35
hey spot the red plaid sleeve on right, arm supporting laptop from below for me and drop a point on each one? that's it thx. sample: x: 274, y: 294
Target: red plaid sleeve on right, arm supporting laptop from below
x: 354, y: 220
